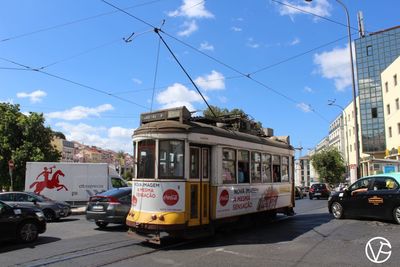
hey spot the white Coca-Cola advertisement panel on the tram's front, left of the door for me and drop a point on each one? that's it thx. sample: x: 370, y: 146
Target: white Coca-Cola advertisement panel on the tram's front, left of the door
x: 155, y: 196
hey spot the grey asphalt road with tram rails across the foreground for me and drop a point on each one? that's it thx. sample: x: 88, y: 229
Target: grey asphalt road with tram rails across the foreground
x: 310, y: 238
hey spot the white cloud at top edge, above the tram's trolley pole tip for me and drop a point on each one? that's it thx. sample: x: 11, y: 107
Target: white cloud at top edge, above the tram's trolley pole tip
x: 192, y: 9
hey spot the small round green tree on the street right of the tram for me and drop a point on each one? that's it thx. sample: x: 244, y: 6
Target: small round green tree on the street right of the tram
x: 330, y: 165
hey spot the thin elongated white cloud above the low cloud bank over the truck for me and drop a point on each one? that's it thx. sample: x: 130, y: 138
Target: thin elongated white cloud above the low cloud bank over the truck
x: 79, y: 112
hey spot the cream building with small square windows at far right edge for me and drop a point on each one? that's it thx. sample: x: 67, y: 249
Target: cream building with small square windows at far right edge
x: 390, y: 79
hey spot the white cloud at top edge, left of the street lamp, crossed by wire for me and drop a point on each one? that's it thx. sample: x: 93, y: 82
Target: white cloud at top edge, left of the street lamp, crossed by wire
x: 320, y: 7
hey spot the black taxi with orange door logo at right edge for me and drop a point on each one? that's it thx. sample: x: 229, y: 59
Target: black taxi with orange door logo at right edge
x: 376, y: 196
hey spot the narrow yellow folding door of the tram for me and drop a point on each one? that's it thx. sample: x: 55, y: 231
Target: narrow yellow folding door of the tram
x: 199, y: 186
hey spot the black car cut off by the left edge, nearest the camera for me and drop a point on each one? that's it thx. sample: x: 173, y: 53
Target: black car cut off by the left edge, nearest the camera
x: 21, y: 223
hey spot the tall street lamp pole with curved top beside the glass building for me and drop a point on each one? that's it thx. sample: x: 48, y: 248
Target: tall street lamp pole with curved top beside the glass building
x: 356, y: 145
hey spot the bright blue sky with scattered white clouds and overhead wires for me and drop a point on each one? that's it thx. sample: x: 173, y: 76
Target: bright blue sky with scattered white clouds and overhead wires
x: 92, y: 67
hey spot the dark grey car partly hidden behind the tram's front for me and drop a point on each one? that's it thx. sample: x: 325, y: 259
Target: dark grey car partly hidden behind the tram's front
x: 111, y: 206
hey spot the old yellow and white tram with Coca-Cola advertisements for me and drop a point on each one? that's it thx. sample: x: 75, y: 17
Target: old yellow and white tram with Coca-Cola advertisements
x: 193, y: 173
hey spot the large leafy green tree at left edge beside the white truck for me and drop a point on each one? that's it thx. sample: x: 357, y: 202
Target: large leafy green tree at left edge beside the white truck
x: 22, y: 138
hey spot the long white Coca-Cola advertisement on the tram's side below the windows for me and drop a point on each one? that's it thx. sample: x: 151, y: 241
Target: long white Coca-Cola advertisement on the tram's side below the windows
x: 247, y: 199
